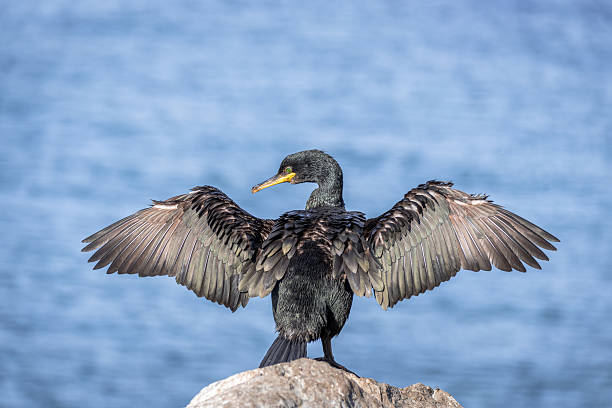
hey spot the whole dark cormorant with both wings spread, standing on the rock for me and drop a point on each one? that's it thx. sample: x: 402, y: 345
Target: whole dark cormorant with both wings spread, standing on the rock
x: 312, y: 261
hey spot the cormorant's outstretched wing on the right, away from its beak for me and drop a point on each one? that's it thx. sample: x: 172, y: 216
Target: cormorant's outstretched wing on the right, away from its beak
x: 435, y: 231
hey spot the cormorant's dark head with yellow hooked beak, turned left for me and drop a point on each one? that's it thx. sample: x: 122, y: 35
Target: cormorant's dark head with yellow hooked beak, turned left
x: 312, y: 166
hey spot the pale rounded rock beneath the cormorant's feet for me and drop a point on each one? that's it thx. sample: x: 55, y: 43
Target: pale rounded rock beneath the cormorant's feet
x: 310, y: 383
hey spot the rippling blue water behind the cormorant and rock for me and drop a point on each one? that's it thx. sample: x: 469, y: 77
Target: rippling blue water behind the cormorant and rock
x: 104, y: 105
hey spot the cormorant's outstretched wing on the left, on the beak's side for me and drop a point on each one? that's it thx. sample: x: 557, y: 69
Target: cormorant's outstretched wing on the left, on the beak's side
x: 202, y: 238
